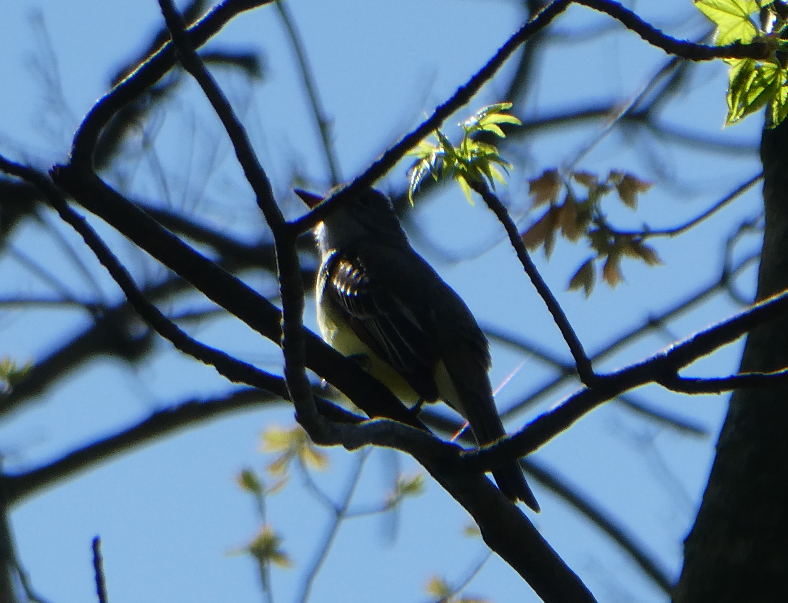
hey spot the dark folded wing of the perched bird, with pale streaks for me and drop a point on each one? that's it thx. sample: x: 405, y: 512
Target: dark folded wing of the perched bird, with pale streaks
x: 381, y: 319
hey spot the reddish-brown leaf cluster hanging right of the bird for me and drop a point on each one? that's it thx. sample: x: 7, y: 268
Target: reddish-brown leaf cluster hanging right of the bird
x: 575, y: 217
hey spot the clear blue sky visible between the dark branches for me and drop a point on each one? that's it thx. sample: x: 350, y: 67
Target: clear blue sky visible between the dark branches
x: 170, y: 513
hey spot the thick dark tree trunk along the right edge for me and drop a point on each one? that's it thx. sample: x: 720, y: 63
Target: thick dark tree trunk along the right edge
x: 738, y: 548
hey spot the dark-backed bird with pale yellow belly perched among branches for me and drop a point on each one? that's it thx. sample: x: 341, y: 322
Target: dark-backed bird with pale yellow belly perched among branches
x: 380, y: 301
